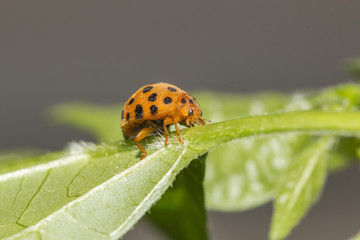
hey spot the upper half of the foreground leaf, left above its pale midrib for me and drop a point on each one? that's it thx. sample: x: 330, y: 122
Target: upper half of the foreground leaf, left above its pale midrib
x: 36, y: 187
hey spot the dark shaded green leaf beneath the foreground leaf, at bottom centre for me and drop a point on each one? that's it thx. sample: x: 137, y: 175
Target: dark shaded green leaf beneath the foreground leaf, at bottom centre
x: 181, y: 210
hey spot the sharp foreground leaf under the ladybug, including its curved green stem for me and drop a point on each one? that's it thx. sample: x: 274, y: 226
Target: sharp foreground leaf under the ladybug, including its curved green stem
x: 101, y: 191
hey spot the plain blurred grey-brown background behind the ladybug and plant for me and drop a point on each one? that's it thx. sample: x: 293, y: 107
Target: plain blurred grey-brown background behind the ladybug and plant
x: 102, y: 51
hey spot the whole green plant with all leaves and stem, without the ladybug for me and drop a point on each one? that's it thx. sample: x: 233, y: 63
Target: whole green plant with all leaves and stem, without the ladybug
x: 260, y: 147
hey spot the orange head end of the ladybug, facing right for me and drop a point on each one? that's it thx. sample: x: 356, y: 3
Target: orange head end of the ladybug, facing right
x: 190, y: 110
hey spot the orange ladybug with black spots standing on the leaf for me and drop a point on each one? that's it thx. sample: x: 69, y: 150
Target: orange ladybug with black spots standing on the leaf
x: 155, y: 107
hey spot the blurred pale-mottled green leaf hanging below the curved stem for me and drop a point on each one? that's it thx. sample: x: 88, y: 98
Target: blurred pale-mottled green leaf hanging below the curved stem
x: 249, y: 181
